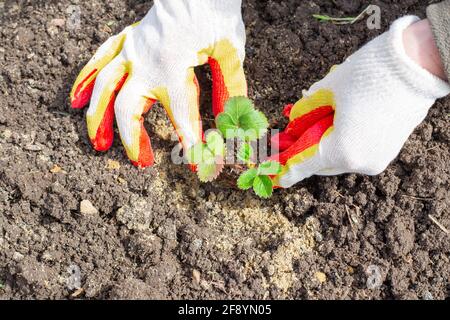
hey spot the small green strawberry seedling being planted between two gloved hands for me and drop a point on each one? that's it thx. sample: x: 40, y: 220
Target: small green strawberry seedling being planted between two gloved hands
x: 242, y: 122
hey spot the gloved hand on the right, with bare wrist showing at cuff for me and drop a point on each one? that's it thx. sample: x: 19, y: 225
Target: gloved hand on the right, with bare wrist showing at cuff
x: 357, y: 119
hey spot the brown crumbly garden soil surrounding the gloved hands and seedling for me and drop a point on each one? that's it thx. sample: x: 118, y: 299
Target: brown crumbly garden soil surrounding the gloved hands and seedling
x: 159, y: 233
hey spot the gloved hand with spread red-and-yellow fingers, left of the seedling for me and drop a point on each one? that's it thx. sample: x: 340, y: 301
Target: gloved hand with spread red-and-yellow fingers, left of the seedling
x: 153, y: 61
